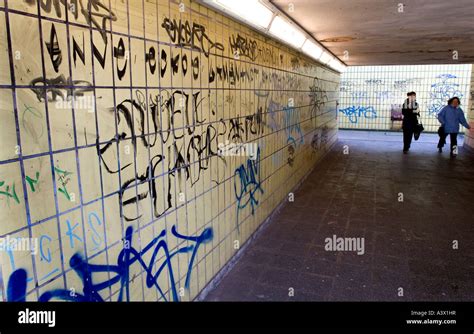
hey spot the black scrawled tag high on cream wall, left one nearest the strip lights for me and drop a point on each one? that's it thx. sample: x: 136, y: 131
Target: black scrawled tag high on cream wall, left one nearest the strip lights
x: 194, y: 36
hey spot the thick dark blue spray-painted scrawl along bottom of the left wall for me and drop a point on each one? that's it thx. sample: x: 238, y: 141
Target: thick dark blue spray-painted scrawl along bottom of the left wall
x: 128, y: 256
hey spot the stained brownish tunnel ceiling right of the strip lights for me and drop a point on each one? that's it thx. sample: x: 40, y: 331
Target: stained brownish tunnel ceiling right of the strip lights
x: 375, y: 33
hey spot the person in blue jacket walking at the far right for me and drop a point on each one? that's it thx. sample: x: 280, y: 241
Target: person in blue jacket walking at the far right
x: 450, y: 117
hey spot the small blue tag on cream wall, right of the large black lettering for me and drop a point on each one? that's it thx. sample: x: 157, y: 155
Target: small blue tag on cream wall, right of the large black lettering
x: 247, y: 184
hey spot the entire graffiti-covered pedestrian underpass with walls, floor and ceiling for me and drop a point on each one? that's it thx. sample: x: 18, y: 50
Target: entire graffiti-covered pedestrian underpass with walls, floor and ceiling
x: 251, y: 150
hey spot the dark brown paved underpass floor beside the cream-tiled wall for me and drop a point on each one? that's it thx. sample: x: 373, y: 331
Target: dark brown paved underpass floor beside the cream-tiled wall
x: 408, y: 244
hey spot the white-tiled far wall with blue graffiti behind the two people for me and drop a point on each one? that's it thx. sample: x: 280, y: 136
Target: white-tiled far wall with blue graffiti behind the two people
x: 370, y: 93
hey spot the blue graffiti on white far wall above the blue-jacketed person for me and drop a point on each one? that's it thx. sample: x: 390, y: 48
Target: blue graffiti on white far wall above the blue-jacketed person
x: 441, y: 92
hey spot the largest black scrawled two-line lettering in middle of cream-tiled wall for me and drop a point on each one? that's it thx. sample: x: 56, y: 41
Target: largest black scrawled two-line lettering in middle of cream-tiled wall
x: 183, y: 160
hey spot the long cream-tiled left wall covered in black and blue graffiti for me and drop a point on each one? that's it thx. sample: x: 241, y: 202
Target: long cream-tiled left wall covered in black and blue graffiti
x: 129, y: 177
